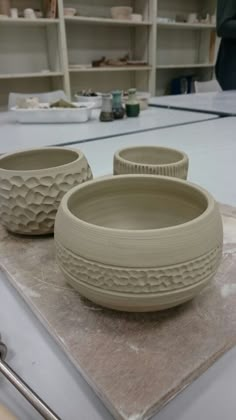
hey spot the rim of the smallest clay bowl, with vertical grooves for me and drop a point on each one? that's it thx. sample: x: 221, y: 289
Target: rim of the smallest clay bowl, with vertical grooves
x: 151, y: 165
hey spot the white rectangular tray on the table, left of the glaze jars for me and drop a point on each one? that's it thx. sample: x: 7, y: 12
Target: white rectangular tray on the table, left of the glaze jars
x: 53, y: 115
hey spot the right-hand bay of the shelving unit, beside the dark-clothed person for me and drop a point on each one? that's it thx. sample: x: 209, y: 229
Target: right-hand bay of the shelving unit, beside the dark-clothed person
x: 184, y: 49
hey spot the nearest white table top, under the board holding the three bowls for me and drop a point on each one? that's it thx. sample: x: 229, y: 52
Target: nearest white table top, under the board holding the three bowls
x: 211, y: 147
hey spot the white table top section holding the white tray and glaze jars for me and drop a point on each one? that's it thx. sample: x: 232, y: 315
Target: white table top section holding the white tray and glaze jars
x: 22, y: 136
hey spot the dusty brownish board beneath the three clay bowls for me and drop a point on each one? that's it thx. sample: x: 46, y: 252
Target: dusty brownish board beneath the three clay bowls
x: 134, y: 362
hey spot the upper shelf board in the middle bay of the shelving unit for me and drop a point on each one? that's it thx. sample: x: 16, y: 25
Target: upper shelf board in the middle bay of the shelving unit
x: 105, y: 21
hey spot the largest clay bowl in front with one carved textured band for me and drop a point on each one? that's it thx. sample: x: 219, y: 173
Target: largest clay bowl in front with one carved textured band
x: 138, y: 242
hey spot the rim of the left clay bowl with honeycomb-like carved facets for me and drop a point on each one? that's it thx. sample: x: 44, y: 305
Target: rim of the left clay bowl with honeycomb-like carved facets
x: 31, y: 172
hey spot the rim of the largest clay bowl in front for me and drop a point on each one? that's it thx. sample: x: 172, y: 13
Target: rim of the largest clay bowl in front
x: 207, y: 196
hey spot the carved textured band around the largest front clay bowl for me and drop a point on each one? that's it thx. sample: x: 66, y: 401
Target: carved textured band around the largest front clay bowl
x: 145, y: 280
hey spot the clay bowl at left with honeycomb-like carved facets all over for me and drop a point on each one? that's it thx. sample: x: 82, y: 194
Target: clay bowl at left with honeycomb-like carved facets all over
x: 32, y: 184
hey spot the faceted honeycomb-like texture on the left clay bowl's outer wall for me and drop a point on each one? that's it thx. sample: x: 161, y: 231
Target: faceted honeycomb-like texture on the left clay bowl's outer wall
x: 29, y: 206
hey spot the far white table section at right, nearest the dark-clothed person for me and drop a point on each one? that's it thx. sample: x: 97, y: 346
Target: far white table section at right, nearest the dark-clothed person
x: 221, y: 103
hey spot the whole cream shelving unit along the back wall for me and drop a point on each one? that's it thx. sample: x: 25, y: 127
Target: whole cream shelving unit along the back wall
x: 45, y: 54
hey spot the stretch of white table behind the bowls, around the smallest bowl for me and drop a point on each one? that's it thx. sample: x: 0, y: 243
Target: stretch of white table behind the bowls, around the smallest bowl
x: 211, y: 147
